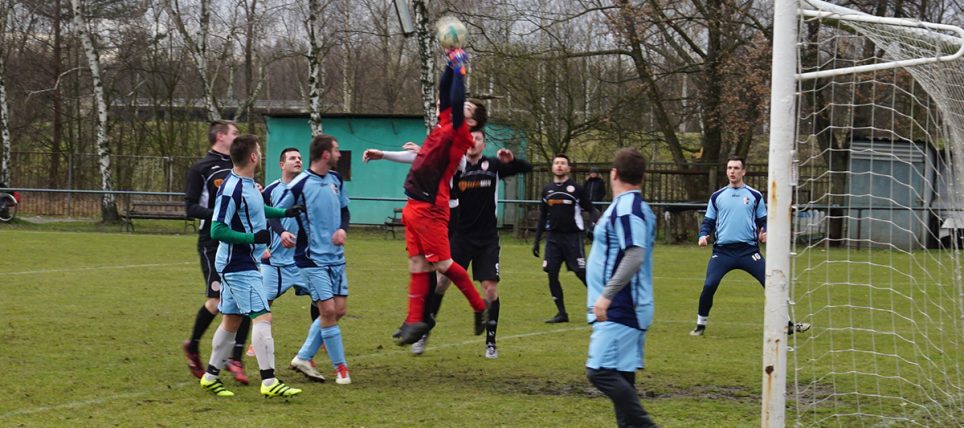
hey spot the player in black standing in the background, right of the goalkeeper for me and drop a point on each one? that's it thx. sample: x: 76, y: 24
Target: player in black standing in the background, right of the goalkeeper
x: 560, y: 214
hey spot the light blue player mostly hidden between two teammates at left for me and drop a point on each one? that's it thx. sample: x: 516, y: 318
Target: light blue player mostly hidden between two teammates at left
x: 279, y: 270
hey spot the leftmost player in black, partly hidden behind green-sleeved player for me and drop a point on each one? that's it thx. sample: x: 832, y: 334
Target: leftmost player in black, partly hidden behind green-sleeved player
x: 203, y: 180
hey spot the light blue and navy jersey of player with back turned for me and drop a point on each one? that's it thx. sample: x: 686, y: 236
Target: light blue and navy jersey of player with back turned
x: 628, y: 222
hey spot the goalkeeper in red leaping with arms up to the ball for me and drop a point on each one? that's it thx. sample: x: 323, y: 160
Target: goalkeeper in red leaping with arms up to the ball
x: 426, y: 214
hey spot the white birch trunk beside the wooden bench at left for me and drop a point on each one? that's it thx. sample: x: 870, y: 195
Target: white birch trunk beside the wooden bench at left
x: 108, y: 206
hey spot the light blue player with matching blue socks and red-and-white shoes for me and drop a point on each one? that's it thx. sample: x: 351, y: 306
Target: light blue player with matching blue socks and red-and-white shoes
x: 320, y: 250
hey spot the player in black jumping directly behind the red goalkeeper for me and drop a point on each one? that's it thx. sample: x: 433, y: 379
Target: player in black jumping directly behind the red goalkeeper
x: 475, y: 237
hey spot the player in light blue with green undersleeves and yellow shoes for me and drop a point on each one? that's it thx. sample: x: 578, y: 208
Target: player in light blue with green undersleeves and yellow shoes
x: 239, y: 224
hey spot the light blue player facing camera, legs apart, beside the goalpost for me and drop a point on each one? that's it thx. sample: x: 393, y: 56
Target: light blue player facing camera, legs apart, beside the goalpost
x: 736, y: 217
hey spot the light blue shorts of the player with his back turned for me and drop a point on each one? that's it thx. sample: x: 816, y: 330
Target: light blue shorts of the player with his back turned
x: 616, y: 346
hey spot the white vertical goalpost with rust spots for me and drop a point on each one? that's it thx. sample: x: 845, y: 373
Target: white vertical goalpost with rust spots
x: 782, y: 134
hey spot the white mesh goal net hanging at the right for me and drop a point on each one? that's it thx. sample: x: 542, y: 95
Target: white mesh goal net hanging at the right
x: 878, y: 215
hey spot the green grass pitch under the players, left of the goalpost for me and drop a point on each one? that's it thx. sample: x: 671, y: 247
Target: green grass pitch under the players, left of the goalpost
x: 92, y: 325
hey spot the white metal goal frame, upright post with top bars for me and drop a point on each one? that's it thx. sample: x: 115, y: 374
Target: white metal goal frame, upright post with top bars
x: 783, y: 127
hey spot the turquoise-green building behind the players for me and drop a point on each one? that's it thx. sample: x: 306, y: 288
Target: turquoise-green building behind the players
x: 375, y: 188
